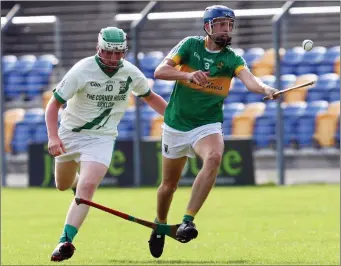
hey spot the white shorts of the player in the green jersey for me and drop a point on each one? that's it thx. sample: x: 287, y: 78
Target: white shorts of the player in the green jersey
x: 176, y: 144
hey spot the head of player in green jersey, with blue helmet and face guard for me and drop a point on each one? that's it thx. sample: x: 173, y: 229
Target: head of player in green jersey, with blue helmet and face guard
x: 219, y: 24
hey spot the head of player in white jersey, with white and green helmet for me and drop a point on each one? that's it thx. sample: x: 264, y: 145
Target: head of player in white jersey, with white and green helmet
x: 112, y: 46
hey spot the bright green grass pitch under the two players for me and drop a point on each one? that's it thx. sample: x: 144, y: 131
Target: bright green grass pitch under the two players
x: 249, y: 225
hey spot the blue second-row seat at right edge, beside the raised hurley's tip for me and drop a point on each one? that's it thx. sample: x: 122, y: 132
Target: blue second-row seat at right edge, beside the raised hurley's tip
x: 321, y: 90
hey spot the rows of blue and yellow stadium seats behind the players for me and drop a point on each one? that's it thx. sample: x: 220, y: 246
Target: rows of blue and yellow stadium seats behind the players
x: 308, y: 112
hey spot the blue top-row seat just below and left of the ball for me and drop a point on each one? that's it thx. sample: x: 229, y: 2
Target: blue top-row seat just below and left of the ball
x: 291, y: 59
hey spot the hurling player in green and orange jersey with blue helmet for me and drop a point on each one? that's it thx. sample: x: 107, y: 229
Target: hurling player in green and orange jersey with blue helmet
x: 203, y: 68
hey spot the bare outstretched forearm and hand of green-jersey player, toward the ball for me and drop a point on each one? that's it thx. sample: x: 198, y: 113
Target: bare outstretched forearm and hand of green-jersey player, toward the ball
x: 255, y: 84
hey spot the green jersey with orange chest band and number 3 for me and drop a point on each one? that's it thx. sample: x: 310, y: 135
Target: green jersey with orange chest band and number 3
x: 192, y: 105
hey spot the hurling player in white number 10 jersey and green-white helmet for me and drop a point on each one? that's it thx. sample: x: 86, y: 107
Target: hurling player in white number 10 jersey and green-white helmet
x: 96, y: 90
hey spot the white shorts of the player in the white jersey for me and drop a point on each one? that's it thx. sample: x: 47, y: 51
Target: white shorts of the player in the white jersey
x: 85, y: 148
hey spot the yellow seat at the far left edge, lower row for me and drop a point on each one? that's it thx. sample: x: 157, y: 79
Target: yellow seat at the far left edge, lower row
x: 11, y: 117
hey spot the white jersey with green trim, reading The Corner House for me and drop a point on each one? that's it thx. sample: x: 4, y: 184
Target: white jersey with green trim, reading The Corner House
x: 96, y: 102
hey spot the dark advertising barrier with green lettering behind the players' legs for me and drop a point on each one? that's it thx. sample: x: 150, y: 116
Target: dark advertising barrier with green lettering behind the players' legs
x: 236, y: 169
